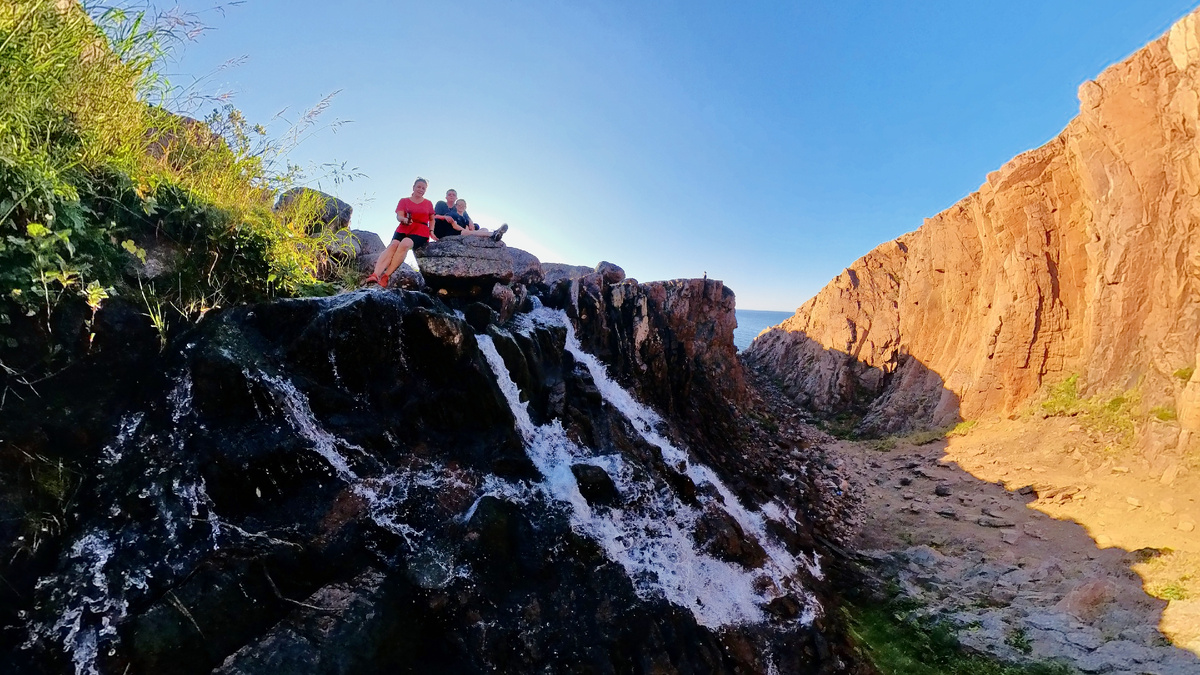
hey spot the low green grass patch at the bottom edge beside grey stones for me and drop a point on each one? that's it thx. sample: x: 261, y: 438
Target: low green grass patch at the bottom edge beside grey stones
x: 904, y: 648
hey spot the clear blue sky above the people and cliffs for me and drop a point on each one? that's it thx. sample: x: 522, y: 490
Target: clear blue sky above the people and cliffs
x: 767, y: 145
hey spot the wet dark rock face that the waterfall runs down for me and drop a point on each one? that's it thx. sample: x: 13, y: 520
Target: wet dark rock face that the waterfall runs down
x: 351, y: 485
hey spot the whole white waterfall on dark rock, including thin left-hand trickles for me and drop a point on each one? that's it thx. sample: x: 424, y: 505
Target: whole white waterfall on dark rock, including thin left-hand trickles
x: 650, y: 536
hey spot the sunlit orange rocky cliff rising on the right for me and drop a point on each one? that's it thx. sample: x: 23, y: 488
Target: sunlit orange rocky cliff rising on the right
x: 1079, y: 258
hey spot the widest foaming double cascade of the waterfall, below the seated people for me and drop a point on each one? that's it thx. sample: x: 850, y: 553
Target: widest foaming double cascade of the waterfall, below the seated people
x: 651, y: 536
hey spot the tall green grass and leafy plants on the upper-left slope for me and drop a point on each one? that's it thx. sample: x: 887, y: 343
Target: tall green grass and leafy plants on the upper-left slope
x: 94, y: 171
